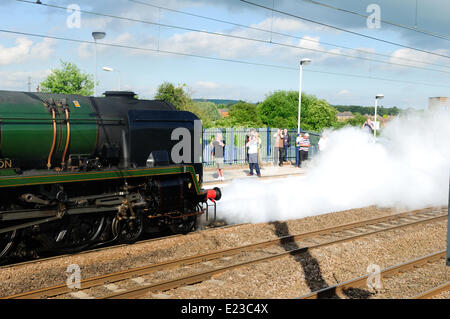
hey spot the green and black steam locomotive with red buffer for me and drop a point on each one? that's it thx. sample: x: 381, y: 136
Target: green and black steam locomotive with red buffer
x: 80, y: 171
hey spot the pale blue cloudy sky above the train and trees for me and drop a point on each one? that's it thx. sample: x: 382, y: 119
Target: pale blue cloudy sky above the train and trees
x: 142, y: 71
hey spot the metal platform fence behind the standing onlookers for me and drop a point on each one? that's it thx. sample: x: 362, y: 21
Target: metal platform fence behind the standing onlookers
x: 235, y: 144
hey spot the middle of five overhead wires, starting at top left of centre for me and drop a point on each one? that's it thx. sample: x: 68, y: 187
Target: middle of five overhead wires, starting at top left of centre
x: 285, y: 34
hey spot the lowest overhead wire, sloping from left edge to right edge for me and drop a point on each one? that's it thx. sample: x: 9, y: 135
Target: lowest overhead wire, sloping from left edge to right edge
x: 216, y: 58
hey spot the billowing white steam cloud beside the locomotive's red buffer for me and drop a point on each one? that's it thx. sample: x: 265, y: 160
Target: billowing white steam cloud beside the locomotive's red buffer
x: 407, y: 167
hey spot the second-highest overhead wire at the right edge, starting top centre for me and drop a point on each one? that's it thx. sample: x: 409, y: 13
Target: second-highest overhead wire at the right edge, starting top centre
x: 344, y: 30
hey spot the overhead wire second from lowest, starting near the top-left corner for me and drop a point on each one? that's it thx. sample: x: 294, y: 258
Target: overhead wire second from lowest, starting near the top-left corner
x: 240, y: 37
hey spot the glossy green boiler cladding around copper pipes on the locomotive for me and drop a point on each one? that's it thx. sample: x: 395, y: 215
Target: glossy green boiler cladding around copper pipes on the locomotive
x: 27, y: 129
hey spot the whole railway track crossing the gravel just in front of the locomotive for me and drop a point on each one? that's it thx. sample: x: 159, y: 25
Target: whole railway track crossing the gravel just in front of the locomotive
x: 200, y: 267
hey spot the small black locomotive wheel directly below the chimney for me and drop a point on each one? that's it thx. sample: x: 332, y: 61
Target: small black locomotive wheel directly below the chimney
x: 128, y: 231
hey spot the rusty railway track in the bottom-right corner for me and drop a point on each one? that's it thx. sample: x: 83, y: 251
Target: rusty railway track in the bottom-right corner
x: 361, y: 282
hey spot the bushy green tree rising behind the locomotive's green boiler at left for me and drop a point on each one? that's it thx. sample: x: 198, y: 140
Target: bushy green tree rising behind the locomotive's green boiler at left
x: 68, y: 80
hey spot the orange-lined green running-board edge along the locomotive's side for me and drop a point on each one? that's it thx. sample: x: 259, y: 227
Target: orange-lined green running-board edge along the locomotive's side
x: 44, y: 177
